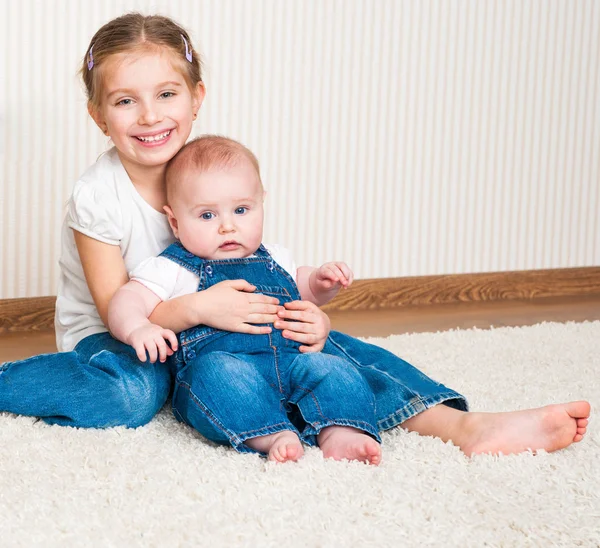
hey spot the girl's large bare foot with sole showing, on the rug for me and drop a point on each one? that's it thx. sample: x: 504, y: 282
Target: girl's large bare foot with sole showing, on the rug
x: 550, y: 428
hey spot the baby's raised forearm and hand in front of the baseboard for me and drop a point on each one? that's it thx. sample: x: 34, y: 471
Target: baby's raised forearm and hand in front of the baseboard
x: 320, y: 285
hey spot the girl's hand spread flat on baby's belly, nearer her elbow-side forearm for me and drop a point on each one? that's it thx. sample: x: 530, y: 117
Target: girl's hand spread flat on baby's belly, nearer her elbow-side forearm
x: 233, y: 306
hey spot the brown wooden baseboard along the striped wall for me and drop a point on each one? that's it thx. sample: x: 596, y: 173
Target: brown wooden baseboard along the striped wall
x: 37, y: 313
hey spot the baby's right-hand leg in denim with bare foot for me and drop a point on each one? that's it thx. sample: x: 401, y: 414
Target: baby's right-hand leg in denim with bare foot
x: 338, y: 405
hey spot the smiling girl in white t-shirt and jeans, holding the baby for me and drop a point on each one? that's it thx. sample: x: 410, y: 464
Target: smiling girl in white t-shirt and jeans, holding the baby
x: 144, y: 89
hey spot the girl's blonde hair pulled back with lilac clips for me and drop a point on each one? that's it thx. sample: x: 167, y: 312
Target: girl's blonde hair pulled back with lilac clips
x: 134, y: 32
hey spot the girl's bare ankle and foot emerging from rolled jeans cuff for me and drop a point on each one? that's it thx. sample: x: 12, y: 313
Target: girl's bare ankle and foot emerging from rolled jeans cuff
x: 550, y: 428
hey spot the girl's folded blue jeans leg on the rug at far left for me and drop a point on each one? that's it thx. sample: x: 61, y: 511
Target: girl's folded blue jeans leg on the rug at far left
x: 101, y: 383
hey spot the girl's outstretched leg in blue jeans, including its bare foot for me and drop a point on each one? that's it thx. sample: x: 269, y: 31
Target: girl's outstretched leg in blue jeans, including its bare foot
x: 406, y: 396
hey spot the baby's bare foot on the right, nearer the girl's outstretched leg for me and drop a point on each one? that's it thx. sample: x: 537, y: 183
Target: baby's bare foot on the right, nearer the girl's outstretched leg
x: 344, y: 442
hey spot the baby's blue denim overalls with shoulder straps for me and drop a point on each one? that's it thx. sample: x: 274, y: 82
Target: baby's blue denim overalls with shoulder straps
x: 235, y: 386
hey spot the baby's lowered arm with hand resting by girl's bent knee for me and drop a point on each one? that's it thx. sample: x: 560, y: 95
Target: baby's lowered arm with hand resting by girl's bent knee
x: 128, y: 314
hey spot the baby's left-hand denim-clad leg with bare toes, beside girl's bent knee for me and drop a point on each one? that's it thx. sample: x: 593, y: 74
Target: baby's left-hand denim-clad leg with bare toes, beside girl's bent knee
x: 227, y: 399
